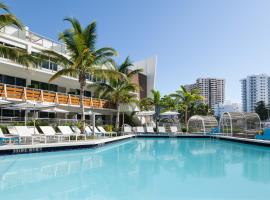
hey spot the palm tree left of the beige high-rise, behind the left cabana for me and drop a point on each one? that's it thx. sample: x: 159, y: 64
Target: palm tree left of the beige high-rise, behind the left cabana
x: 185, y: 98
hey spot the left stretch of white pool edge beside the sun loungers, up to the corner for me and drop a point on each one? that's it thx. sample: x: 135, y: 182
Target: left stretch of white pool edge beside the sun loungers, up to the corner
x: 42, y: 147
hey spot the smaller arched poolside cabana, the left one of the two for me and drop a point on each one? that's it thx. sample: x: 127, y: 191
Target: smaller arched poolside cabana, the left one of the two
x: 201, y: 124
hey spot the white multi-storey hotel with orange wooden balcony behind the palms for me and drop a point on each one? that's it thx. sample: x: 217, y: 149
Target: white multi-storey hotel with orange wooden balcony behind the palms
x: 19, y: 84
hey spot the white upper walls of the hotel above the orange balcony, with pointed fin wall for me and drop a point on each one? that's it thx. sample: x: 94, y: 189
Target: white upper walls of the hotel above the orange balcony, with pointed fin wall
x: 33, y: 42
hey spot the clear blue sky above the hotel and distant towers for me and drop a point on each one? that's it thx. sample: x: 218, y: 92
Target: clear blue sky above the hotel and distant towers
x: 192, y: 38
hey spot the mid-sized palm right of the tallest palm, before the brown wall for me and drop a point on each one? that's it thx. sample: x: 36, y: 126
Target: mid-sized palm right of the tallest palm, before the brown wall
x: 119, y: 90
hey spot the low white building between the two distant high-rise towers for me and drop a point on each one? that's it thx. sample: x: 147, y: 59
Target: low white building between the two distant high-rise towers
x: 227, y: 106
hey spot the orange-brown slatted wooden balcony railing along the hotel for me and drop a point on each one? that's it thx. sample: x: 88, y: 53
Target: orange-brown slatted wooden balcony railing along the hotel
x: 18, y: 93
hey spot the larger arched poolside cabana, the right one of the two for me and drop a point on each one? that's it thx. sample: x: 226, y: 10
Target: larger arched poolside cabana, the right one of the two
x: 240, y: 124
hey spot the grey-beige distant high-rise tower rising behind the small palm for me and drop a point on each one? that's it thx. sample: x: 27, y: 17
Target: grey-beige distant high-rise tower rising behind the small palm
x: 212, y: 89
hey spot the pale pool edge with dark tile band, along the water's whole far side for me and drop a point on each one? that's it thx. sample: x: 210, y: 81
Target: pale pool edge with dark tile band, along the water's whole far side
x: 42, y: 147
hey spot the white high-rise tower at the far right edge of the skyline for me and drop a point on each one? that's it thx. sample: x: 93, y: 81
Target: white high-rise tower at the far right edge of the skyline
x: 255, y: 88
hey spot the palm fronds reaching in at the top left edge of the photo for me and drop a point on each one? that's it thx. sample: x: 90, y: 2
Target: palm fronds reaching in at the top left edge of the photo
x: 15, y: 54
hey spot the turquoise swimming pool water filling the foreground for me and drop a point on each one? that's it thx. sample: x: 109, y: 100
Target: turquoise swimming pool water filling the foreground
x: 141, y: 169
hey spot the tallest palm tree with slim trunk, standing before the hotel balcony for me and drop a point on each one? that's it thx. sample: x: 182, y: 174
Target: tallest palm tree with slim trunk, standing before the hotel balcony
x: 84, y: 58
